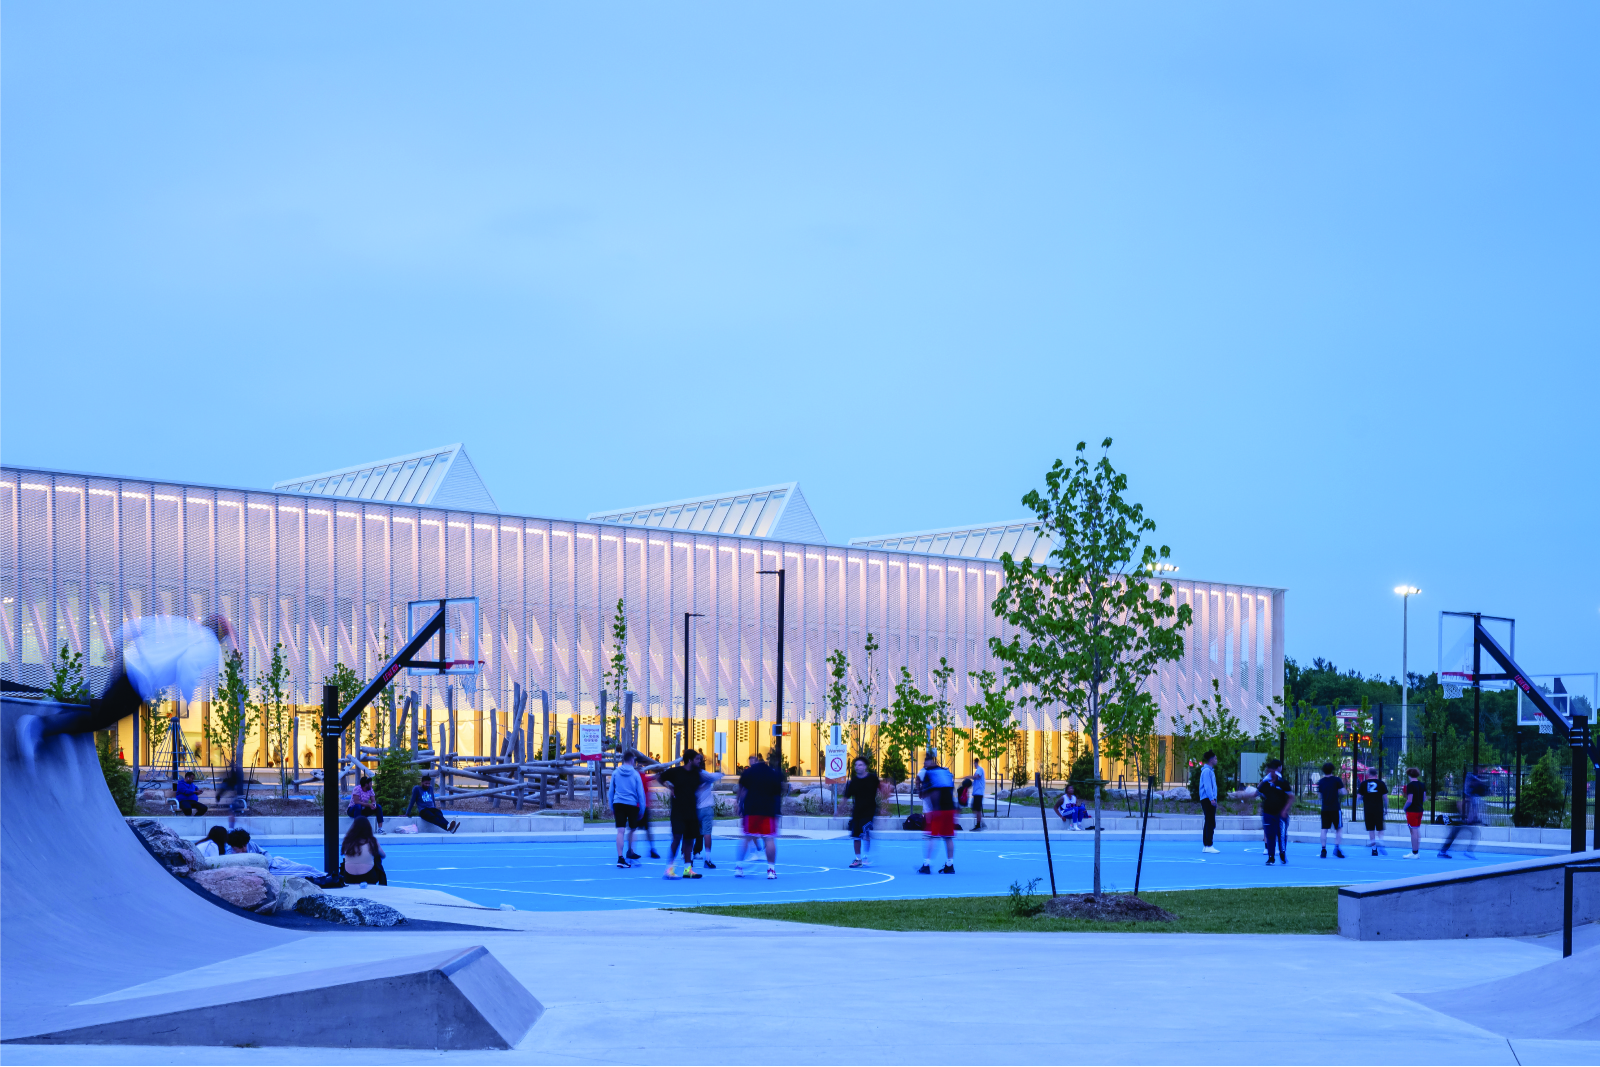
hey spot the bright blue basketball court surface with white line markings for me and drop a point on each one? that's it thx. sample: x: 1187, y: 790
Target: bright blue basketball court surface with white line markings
x: 583, y: 876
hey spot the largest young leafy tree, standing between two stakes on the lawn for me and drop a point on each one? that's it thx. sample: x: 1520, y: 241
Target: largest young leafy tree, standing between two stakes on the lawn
x: 1094, y: 625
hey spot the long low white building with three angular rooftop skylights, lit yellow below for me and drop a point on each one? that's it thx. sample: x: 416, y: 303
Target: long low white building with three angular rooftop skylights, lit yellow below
x: 326, y: 567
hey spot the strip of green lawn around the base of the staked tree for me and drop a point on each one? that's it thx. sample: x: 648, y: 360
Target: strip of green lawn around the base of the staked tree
x: 1266, y: 911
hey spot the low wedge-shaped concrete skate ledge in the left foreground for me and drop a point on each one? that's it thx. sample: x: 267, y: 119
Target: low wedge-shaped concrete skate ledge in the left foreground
x: 452, y: 1001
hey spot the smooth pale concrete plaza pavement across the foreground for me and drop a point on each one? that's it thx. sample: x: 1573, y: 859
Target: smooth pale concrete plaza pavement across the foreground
x: 650, y: 988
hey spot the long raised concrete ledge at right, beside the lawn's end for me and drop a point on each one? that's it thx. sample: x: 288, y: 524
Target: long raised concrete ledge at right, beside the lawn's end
x: 1516, y: 900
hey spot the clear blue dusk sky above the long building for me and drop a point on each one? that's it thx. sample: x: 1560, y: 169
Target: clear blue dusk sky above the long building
x: 1326, y: 273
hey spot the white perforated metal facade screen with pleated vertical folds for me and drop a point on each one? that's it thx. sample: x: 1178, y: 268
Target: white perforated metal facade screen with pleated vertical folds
x: 329, y: 578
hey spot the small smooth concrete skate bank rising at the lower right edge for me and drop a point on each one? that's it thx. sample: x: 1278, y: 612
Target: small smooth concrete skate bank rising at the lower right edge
x: 1556, y: 1001
